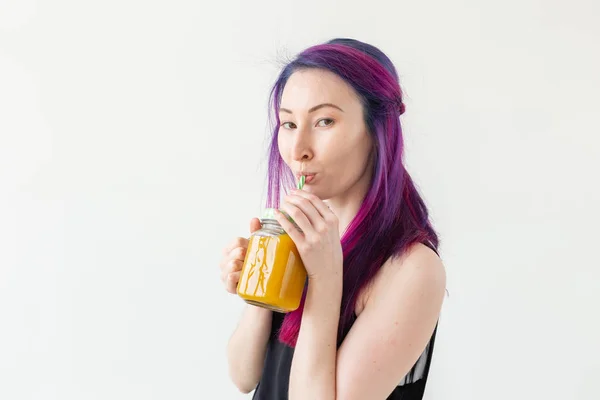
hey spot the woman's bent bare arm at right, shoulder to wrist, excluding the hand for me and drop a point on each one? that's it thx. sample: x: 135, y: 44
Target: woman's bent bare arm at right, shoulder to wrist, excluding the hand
x: 385, y: 341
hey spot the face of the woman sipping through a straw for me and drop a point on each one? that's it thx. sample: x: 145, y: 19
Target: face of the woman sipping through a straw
x: 323, y: 135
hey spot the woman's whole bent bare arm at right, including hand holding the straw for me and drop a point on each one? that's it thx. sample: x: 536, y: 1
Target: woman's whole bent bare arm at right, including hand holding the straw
x: 392, y: 330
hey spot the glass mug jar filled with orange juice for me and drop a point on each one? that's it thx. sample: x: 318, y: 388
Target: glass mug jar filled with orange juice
x: 273, y: 275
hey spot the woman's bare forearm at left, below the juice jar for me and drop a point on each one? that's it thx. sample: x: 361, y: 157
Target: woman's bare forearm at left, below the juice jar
x: 247, y: 346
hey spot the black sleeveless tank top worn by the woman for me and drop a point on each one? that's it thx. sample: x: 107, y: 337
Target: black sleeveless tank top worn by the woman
x: 275, y: 378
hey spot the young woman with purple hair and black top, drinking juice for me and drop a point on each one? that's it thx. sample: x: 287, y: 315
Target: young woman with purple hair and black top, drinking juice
x: 366, y: 326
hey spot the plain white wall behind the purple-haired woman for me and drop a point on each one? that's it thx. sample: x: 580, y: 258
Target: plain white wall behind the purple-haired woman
x: 131, y: 150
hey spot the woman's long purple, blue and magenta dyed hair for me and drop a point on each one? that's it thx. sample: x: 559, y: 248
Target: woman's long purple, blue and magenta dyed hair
x: 393, y: 215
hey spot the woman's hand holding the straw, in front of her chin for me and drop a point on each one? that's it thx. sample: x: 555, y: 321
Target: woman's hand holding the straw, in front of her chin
x: 319, y: 242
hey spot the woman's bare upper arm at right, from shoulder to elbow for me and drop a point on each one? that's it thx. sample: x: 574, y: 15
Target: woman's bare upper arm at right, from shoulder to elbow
x: 394, y: 327
